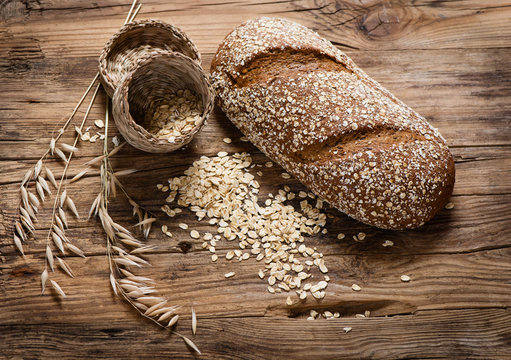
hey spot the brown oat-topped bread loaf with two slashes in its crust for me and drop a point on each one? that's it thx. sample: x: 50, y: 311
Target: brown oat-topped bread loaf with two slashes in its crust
x: 308, y: 107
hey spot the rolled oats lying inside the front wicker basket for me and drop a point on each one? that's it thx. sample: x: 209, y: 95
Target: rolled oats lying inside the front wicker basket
x: 174, y: 115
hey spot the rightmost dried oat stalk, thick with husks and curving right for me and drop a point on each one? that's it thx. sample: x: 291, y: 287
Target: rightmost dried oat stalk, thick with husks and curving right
x: 125, y: 252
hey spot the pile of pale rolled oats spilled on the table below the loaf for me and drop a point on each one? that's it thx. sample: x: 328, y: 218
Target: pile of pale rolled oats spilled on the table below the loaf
x: 222, y: 189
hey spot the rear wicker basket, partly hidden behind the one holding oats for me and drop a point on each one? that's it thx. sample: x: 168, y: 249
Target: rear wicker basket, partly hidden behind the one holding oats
x: 133, y: 41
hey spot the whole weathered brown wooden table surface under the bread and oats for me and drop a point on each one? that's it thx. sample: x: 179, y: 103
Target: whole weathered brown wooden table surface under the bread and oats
x: 449, y: 60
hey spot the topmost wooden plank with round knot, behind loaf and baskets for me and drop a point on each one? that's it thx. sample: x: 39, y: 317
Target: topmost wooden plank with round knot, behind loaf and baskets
x: 375, y: 25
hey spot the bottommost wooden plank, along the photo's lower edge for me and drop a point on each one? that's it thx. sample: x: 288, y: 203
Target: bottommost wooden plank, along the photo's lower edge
x: 429, y: 334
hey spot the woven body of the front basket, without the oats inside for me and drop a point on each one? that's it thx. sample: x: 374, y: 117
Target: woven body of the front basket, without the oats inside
x: 155, y: 76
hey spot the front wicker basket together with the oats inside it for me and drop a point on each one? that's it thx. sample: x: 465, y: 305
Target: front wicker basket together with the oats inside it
x: 163, y: 102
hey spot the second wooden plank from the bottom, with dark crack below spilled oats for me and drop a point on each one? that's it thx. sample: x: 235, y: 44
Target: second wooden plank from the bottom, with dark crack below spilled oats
x: 454, y: 281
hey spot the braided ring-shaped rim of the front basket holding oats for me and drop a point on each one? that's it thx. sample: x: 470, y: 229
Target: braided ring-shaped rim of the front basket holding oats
x: 121, y: 94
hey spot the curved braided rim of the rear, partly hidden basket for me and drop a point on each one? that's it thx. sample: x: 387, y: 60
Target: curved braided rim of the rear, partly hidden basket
x: 145, y: 23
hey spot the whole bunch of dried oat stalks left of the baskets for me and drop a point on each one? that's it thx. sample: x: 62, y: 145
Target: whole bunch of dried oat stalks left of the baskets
x: 136, y: 290
